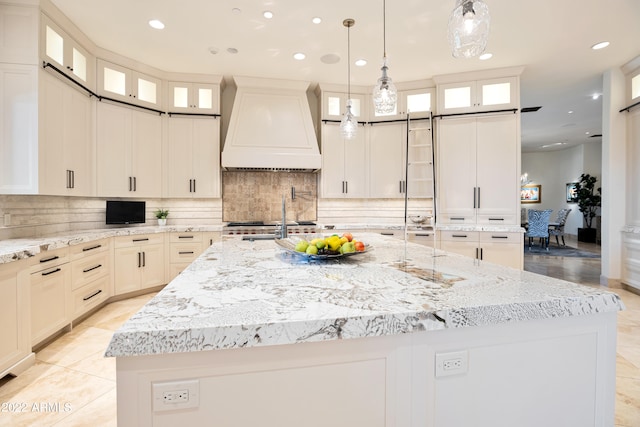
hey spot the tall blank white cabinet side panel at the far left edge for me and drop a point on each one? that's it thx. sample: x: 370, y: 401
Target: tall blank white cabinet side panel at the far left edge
x: 18, y: 129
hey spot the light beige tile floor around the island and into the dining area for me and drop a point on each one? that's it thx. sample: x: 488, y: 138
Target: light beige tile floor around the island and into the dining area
x: 72, y: 384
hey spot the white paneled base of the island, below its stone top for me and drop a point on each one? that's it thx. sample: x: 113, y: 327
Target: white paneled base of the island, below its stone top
x: 554, y: 372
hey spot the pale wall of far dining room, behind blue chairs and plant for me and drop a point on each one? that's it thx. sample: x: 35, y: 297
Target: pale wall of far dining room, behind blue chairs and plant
x: 554, y: 169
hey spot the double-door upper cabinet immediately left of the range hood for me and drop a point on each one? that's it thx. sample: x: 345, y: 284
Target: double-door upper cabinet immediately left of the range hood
x: 193, y: 161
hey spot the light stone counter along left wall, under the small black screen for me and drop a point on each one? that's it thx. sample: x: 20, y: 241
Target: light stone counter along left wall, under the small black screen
x: 17, y: 249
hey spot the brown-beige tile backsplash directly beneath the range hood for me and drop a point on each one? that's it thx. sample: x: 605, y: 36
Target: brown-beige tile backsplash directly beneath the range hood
x: 257, y: 196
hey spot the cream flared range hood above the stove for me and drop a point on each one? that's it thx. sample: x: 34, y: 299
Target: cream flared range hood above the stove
x: 271, y: 127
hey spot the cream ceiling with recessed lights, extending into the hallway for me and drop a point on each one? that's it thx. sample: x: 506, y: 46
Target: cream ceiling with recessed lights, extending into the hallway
x: 550, y: 38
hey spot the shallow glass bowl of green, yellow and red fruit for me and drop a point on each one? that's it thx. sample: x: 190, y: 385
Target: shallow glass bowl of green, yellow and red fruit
x: 333, y: 246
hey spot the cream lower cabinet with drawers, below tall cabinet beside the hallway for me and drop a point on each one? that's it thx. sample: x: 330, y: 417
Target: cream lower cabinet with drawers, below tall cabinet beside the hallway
x: 504, y: 248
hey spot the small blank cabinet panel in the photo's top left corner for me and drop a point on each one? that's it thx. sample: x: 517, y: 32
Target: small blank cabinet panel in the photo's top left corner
x: 19, y: 34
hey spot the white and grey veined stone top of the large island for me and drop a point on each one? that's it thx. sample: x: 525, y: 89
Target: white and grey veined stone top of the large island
x: 254, y: 293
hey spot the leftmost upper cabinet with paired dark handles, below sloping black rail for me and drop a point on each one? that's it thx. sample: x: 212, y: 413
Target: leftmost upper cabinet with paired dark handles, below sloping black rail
x: 66, y: 145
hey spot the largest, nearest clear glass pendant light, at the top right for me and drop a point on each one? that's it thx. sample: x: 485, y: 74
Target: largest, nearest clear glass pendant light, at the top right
x: 468, y: 28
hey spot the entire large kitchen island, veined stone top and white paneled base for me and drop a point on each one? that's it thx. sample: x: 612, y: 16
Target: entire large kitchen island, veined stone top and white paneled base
x: 402, y: 335
